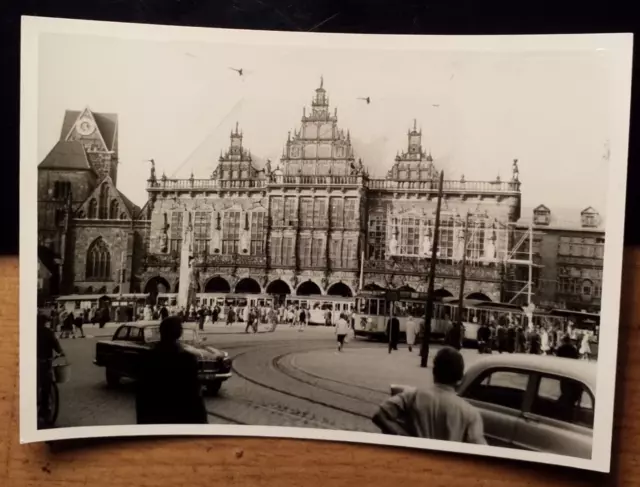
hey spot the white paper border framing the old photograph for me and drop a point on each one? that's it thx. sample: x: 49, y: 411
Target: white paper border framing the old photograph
x: 618, y: 47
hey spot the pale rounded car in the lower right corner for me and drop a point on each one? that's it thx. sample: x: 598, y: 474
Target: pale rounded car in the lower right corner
x: 533, y: 402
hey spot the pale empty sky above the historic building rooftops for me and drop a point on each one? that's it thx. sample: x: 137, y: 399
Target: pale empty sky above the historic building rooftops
x: 178, y: 101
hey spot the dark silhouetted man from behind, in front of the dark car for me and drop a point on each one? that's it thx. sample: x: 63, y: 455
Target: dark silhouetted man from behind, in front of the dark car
x: 168, y: 390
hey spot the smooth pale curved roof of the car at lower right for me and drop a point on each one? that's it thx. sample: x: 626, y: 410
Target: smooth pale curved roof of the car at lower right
x: 579, y: 370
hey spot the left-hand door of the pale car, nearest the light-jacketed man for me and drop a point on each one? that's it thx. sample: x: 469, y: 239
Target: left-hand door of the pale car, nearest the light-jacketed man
x: 499, y: 394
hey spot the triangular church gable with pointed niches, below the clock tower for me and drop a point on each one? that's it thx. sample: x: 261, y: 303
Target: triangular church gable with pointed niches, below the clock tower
x: 107, y: 203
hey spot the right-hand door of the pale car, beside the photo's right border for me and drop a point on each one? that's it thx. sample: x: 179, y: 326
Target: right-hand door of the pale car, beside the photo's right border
x: 559, y: 418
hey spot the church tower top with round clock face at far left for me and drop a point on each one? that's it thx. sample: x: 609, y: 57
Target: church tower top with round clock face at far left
x: 98, y: 133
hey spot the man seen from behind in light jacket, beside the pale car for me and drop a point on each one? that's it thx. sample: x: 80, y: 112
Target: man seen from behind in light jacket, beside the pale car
x: 437, y: 413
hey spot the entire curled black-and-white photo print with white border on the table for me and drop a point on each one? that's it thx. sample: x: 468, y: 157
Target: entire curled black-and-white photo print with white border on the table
x: 396, y: 240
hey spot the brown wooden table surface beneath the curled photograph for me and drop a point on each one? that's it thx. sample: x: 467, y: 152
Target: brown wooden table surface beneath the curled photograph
x: 280, y: 463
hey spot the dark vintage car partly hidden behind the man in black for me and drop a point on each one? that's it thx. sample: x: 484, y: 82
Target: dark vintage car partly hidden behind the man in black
x: 121, y: 355
